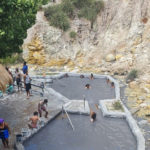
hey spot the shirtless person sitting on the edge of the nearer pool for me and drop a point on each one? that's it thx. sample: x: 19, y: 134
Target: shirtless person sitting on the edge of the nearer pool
x: 33, y: 120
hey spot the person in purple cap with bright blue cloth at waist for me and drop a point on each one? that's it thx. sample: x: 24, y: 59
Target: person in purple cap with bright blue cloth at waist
x: 4, y: 133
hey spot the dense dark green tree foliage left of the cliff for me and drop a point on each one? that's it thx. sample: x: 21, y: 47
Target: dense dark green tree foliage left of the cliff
x: 16, y: 16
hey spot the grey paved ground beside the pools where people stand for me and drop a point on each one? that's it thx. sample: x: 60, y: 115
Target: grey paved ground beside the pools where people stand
x: 16, y: 110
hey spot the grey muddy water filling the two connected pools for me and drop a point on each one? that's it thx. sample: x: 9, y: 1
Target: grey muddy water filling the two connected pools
x: 104, y: 134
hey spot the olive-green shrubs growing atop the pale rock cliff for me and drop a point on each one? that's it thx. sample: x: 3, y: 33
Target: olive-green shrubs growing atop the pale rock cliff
x: 88, y: 9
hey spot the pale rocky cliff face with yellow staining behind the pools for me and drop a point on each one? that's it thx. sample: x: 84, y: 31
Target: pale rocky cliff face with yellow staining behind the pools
x: 122, y: 31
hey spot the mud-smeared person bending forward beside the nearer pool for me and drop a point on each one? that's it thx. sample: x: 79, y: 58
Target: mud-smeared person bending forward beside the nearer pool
x: 42, y: 107
